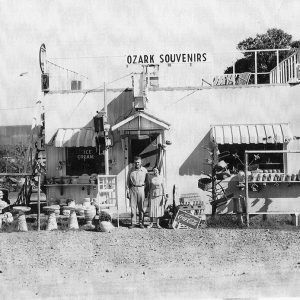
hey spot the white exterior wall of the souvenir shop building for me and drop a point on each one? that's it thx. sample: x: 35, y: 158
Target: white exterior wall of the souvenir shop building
x: 190, y: 113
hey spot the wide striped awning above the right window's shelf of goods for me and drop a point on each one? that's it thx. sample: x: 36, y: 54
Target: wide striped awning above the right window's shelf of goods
x: 251, y: 133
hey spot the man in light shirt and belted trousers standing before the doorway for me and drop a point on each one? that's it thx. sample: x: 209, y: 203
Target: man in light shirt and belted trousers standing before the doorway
x: 136, y: 184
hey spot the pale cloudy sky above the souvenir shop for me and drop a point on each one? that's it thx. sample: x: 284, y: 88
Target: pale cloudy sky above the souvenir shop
x: 95, y: 37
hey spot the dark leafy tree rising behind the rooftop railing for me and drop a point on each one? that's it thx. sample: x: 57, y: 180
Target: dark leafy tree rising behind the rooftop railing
x: 273, y: 39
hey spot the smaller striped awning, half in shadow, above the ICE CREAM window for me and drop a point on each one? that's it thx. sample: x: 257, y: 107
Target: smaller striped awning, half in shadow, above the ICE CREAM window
x: 74, y: 137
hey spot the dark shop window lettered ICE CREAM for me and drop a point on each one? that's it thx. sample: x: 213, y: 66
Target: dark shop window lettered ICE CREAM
x: 84, y: 160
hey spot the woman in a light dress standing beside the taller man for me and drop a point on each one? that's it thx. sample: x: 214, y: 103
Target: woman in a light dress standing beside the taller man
x: 157, y: 194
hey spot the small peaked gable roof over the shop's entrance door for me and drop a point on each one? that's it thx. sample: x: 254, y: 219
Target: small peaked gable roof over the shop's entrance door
x: 141, y: 121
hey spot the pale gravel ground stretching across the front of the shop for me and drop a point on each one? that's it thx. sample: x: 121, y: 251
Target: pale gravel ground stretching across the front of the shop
x: 221, y: 261
